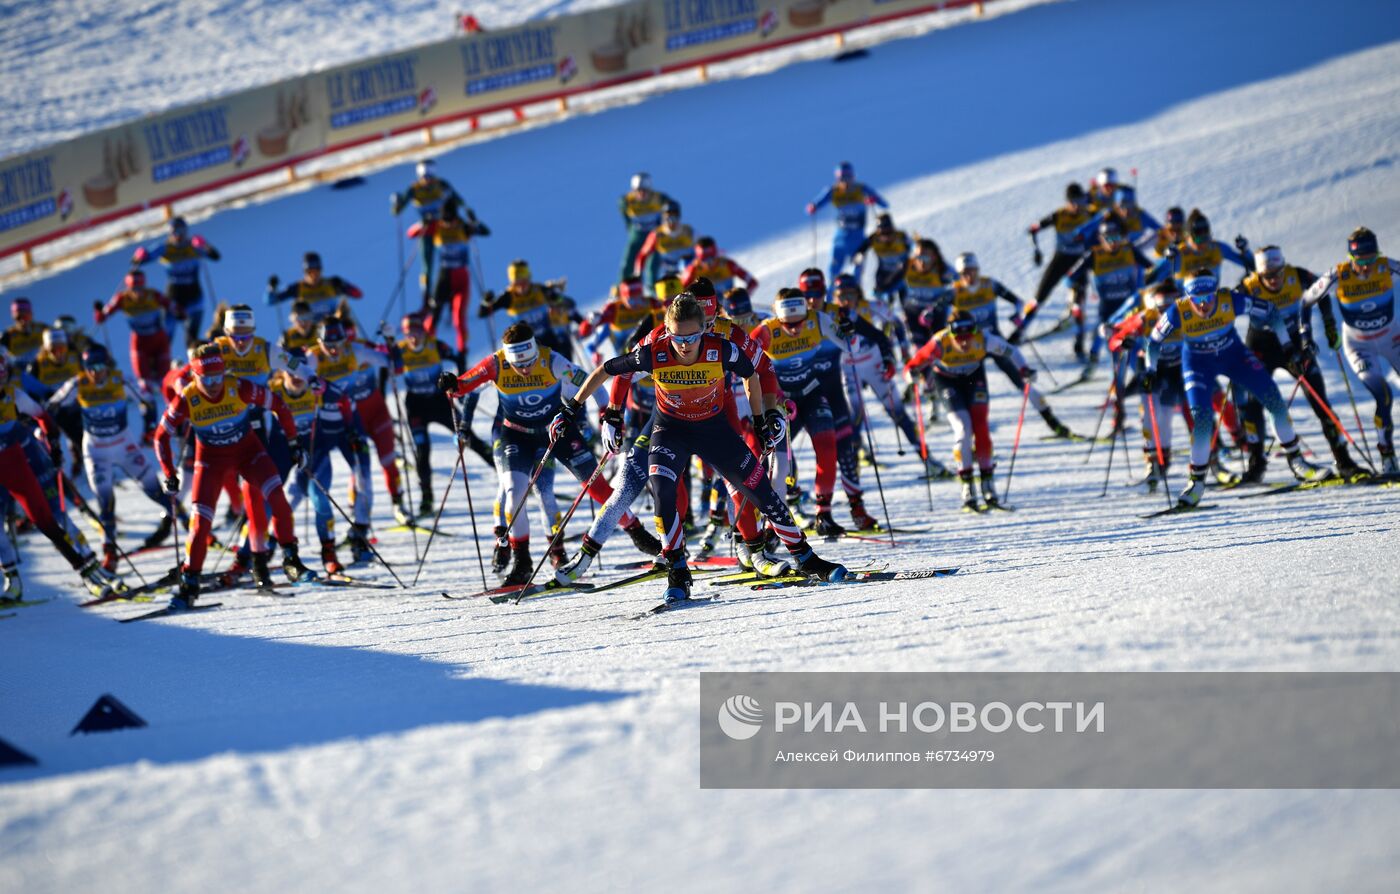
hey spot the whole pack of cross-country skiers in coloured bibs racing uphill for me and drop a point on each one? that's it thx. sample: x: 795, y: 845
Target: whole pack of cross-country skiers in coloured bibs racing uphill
x: 696, y: 370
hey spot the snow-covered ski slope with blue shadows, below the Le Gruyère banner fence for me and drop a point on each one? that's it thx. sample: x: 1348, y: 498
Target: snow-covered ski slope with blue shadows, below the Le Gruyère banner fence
x: 360, y: 741
